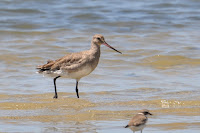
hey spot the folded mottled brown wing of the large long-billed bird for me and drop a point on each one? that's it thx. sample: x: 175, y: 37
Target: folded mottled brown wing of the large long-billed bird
x: 68, y: 62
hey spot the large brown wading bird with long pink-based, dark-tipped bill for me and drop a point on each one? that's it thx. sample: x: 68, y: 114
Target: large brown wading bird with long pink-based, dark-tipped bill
x: 75, y: 65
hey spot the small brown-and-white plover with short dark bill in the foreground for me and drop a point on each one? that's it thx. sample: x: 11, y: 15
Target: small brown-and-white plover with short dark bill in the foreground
x: 138, y: 122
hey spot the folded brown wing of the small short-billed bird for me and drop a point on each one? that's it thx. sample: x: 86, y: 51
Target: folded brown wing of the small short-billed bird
x: 138, y: 120
